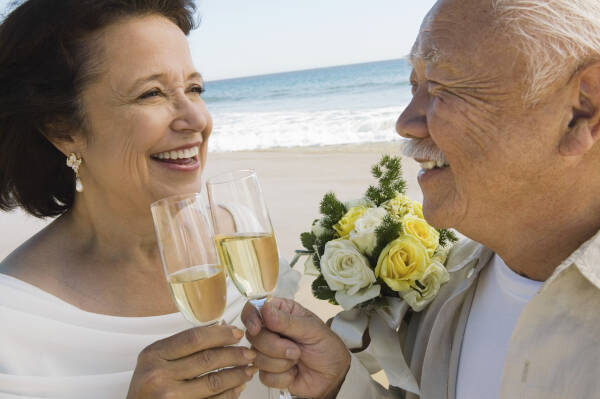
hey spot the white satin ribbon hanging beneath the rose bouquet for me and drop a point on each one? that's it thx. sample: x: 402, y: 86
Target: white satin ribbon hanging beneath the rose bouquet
x: 385, y: 351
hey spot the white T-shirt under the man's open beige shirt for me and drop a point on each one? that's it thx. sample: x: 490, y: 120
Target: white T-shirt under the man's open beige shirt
x: 500, y: 296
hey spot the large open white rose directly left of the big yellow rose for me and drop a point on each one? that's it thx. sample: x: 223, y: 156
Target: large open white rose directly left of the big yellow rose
x: 344, y: 268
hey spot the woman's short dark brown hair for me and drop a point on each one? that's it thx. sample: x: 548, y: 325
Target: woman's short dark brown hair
x: 46, y: 57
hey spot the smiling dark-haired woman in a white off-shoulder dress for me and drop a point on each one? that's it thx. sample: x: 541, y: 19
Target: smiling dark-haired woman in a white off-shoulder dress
x: 95, y: 94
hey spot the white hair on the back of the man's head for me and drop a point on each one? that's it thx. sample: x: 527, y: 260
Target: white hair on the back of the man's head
x: 557, y: 37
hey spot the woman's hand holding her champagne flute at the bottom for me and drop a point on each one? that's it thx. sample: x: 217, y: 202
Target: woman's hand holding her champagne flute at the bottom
x: 169, y: 368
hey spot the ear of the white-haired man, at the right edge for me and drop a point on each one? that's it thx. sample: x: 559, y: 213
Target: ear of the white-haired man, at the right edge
x: 584, y: 127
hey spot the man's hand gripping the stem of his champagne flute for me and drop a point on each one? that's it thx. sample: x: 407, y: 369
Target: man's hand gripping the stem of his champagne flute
x: 296, y: 350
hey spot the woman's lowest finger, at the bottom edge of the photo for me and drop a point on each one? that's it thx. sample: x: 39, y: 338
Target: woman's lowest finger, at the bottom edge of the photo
x: 217, y: 383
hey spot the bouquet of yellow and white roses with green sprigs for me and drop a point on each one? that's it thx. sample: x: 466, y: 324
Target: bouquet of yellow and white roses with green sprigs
x: 376, y: 247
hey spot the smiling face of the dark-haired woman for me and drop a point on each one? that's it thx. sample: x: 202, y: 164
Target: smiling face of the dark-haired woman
x: 147, y: 125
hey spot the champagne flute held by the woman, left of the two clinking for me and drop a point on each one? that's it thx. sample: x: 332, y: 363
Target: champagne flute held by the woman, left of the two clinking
x: 190, y: 260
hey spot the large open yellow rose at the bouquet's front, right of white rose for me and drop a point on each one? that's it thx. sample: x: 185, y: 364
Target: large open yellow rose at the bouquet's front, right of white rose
x: 402, y: 262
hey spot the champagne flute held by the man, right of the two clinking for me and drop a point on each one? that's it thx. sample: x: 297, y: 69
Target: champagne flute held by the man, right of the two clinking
x: 246, y: 244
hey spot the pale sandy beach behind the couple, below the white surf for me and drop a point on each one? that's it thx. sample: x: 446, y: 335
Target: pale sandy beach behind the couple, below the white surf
x: 293, y: 180
